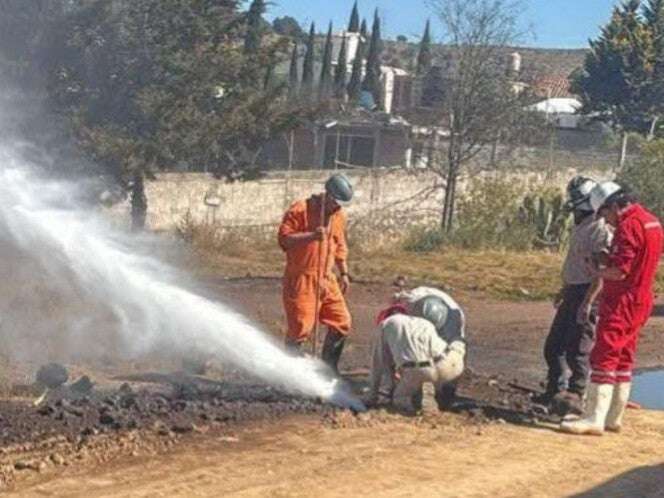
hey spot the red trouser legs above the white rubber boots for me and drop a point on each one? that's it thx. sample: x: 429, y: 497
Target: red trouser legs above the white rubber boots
x: 620, y: 321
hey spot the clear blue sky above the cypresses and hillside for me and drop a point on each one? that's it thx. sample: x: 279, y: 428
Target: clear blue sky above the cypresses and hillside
x: 553, y: 23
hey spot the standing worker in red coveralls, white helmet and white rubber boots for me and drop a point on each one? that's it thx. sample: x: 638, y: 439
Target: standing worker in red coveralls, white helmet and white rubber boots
x: 625, y: 306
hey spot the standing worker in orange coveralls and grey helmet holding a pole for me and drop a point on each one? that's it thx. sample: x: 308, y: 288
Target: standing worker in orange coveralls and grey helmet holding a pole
x: 312, y: 234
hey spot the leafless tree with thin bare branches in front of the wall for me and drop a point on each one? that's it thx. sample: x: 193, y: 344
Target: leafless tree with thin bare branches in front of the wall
x: 478, y: 99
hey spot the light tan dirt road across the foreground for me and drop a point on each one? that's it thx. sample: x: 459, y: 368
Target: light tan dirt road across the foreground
x: 441, y: 455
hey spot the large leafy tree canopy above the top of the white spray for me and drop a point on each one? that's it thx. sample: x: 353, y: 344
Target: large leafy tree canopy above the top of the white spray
x: 165, y: 83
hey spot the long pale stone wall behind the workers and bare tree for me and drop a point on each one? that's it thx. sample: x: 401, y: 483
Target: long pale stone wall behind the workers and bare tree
x: 387, y: 204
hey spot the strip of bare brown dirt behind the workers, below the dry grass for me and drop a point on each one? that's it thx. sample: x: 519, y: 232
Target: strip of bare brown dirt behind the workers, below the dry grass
x: 505, y: 338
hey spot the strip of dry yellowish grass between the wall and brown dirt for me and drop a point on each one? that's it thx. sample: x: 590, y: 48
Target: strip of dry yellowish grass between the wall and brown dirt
x: 508, y: 275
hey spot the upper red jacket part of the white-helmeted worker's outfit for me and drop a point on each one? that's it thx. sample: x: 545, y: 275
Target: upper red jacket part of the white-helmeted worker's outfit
x: 636, y: 251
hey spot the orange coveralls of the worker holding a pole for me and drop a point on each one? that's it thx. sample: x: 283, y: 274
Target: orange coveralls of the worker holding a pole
x: 302, y: 262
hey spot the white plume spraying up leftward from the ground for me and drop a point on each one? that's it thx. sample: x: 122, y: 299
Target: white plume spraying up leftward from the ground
x: 150, y: 310
